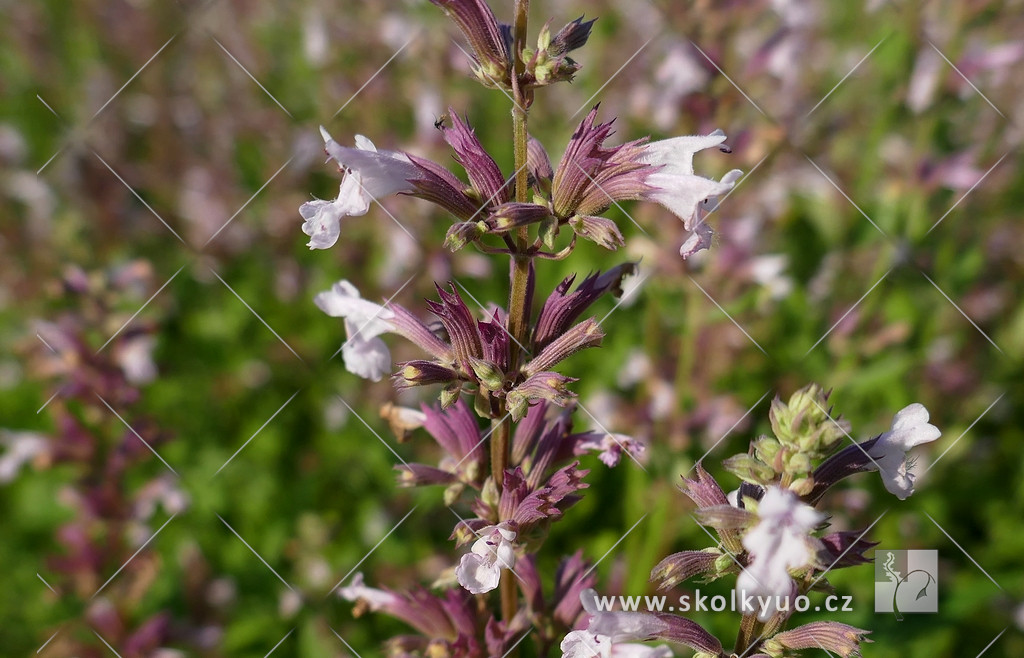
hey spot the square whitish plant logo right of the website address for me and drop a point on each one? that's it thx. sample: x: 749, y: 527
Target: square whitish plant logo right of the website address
x: 907, y: 582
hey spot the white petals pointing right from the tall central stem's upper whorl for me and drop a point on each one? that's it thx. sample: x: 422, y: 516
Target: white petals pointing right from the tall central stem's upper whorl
x: 676, y: 188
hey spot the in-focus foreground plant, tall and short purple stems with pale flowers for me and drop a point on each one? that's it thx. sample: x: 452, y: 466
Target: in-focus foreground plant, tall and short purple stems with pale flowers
x: 520, y: 471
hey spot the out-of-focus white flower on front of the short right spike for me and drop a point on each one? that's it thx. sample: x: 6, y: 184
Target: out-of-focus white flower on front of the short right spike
x: 779, y: 543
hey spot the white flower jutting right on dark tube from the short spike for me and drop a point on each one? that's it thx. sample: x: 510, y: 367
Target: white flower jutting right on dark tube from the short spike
x: 910, y: 428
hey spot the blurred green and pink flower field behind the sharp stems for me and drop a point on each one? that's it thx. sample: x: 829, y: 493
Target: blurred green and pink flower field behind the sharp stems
x: 178, y: 435
